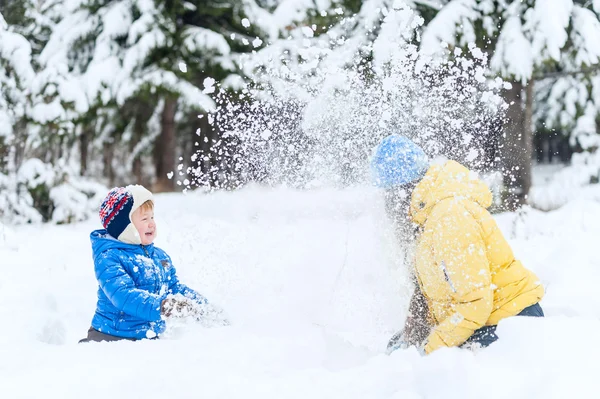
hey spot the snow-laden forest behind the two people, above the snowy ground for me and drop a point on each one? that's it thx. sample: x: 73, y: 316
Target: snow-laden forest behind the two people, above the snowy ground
x: 179, y: 95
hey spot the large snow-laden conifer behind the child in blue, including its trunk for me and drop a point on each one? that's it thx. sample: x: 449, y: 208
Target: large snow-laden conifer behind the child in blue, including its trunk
x: 126, y: 75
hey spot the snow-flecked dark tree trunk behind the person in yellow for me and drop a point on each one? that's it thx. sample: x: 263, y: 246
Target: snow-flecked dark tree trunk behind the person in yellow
x: 516, y: 144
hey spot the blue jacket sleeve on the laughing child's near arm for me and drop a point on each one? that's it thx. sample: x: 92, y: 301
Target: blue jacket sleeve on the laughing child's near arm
x: 121, y: 291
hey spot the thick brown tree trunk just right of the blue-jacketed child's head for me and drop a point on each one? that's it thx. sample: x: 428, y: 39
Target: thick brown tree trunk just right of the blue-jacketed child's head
x: 164, y: 149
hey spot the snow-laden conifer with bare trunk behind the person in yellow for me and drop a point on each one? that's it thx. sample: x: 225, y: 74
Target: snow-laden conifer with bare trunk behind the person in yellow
x: 526, y: 40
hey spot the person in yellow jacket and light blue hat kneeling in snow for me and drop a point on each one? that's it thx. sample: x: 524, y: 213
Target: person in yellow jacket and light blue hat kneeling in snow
x: 467, y: 278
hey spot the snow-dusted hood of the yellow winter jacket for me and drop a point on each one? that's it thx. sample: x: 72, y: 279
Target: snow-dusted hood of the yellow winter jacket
x: 450, y: 180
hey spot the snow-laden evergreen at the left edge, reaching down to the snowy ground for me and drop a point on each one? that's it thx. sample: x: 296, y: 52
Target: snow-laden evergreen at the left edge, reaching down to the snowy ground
x: 30, y: 189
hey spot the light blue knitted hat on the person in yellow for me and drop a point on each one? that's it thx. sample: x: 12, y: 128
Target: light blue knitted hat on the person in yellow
x: 397, y: 161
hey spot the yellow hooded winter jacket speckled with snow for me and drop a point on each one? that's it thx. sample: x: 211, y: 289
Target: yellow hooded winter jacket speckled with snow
x: 465, y: 268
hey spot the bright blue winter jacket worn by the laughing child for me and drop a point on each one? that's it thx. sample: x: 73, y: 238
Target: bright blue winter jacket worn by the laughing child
x: 133, y: 281
